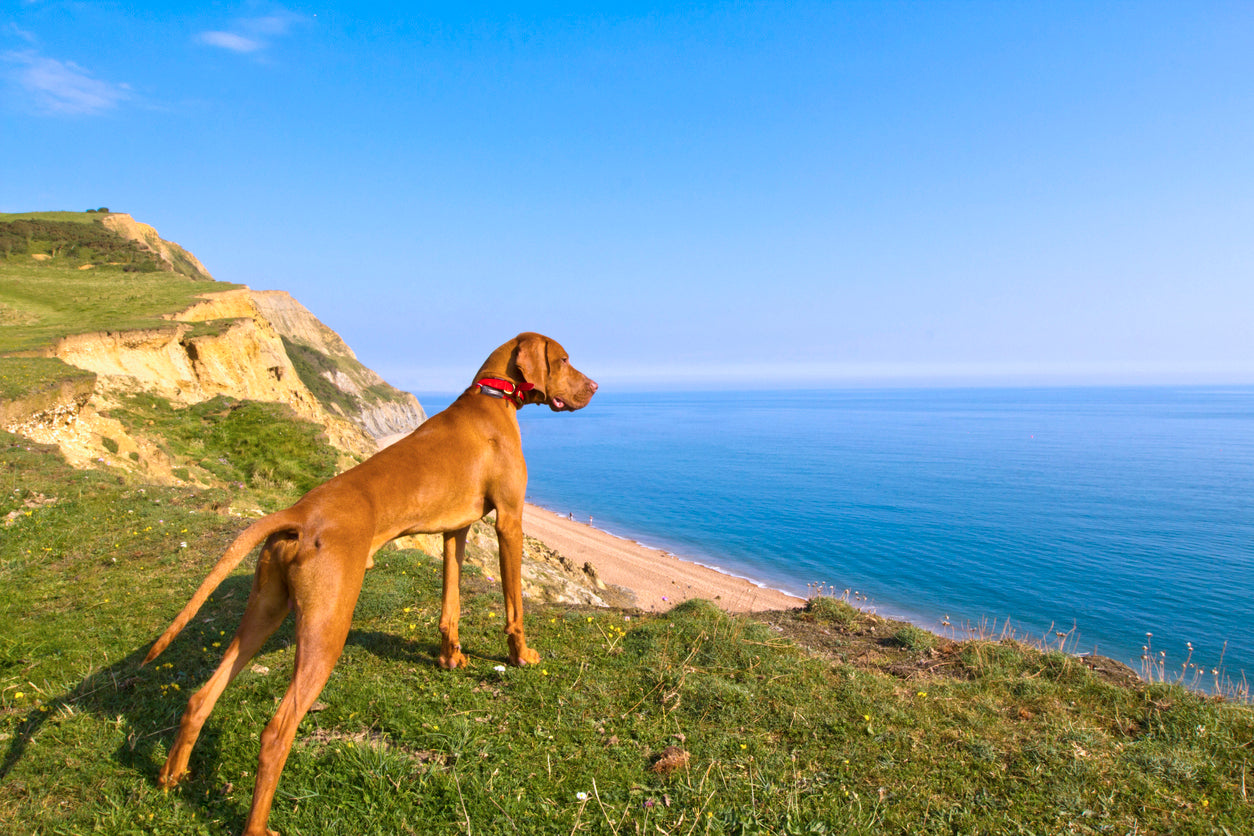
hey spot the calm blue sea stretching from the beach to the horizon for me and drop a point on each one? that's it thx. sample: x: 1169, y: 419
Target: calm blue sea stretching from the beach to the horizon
x: 1109, y: 521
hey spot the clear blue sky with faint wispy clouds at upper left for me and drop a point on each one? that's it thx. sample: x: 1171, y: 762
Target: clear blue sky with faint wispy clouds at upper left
x: 738, y: 195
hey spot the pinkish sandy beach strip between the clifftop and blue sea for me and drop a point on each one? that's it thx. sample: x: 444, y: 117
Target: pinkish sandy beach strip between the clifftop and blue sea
x: 660, y: 580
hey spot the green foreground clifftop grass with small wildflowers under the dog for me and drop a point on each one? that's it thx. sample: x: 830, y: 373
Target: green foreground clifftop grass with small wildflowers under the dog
x: 822, y: 721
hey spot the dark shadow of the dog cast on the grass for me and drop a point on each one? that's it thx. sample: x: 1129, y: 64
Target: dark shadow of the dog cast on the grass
x: 140, y: 695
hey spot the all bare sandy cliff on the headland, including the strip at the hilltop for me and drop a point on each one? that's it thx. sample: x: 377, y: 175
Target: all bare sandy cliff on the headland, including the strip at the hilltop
x: 241, y: 344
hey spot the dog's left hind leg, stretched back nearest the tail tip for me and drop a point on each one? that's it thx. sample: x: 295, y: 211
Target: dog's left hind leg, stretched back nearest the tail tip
x: 268, y: 606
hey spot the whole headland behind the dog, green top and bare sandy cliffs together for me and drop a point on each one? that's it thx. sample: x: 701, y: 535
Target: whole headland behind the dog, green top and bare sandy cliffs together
x: 100, y: 306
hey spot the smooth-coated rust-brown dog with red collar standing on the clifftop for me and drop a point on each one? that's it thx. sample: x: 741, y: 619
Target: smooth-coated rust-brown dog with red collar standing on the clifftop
x: 447, y: 474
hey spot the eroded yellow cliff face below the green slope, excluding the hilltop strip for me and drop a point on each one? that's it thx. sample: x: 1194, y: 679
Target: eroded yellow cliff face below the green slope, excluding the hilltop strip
x: 223, y: 345
